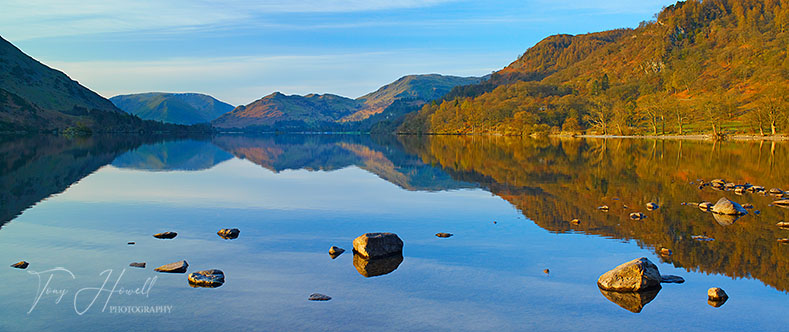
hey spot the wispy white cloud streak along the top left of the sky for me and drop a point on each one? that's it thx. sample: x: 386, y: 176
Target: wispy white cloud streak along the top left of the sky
x: 29, y: 19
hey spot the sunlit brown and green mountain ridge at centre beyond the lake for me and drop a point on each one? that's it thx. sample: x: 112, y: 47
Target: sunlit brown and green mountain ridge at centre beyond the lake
x: 278, y: 112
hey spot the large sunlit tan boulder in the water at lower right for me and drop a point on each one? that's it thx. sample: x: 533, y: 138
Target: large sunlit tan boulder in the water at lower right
x: 637, y: 275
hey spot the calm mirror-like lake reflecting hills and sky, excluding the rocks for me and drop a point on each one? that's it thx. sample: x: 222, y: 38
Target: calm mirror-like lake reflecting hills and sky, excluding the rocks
x: 70, y: 207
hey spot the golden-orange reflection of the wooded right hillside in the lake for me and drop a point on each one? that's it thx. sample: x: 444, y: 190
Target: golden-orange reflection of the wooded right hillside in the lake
x: 552, y: 181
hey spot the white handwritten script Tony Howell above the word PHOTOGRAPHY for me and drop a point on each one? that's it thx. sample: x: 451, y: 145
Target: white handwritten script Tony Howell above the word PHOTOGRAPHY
x: 85, y: 298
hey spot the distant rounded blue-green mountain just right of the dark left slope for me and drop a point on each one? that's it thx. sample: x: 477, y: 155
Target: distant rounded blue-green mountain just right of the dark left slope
x: 179, y: 108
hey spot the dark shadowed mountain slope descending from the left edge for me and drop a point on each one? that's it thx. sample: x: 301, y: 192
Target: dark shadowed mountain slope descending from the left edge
x: 36, y: 98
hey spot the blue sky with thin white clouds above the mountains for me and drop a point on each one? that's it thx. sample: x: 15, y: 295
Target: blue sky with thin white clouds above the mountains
x: 239, y: 51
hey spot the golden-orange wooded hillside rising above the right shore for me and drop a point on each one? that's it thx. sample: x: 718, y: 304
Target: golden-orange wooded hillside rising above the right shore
x: 713, y: 67
